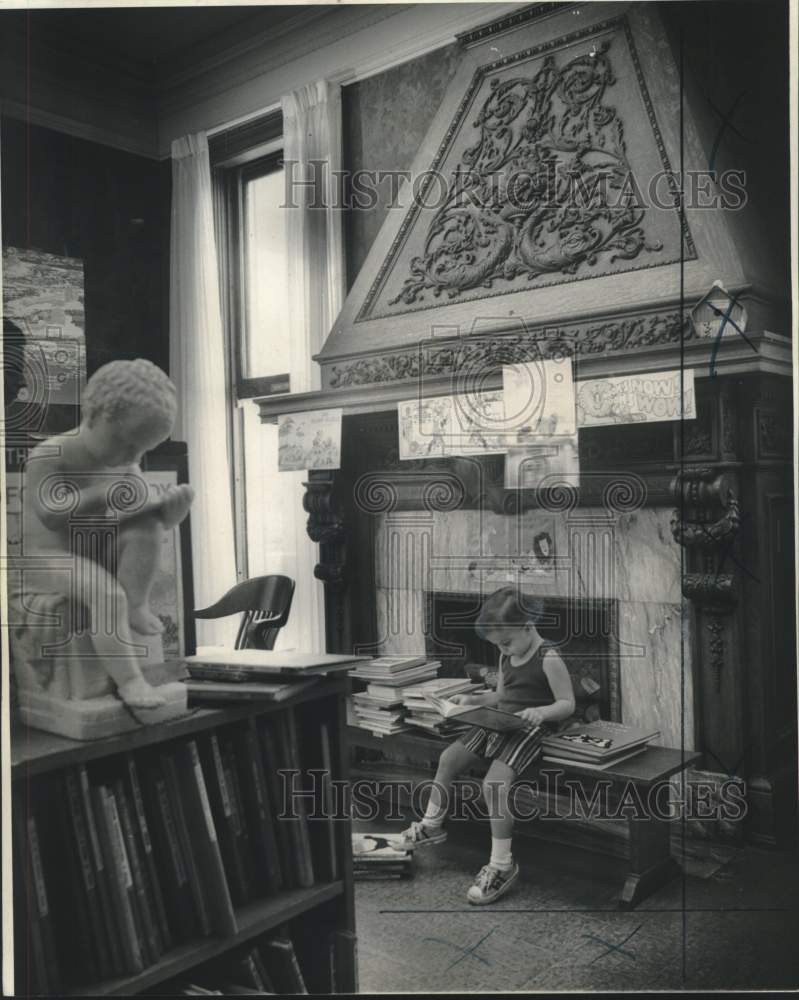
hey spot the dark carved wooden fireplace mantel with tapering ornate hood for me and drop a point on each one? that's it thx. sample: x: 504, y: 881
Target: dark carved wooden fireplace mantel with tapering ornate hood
x: 491, y: 274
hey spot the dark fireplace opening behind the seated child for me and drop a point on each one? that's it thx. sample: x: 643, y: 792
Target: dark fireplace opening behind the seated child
x: 583, y: 631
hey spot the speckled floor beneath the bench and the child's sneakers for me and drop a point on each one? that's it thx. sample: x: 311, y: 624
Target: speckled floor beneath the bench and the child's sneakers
x: 561, y: 931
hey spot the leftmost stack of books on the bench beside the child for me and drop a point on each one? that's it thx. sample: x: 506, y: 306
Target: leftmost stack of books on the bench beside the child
x: 380, y: 707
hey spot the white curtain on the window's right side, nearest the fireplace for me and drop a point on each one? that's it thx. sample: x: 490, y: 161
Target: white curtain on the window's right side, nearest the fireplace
x: 316, y: 288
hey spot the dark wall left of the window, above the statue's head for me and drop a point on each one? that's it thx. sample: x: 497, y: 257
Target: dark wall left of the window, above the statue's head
x: 110, y: 209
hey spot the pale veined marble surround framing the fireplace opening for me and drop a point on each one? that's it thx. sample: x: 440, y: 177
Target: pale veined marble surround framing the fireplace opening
x: 590, y: 554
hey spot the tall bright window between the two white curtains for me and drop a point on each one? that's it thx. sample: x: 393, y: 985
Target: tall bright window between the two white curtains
x: 252, y: 243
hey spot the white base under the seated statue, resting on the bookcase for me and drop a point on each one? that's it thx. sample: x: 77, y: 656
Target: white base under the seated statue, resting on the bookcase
x: 95, y: 712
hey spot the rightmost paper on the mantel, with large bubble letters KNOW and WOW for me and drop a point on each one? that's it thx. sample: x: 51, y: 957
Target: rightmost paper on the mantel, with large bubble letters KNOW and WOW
x: 630, y: 399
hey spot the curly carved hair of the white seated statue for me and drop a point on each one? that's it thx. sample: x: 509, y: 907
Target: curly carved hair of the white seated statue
x: 124, y: 385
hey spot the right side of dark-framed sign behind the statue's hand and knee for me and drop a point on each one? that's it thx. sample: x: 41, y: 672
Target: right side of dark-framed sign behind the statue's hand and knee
x: 172, y: 596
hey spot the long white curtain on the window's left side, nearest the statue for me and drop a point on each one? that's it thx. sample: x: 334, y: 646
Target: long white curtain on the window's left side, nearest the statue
x: 197, y: 366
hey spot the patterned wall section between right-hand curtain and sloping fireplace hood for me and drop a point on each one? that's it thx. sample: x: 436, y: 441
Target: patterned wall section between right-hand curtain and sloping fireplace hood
x: 385, y: 119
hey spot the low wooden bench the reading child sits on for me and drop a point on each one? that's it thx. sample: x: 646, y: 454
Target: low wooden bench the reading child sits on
x: 649, y: 862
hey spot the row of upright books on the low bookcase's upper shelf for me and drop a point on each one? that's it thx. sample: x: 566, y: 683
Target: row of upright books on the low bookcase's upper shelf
x: 162, y: 847
